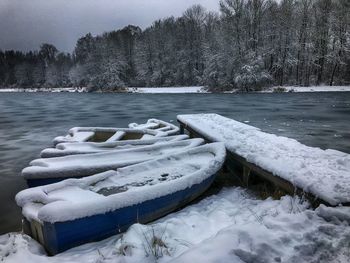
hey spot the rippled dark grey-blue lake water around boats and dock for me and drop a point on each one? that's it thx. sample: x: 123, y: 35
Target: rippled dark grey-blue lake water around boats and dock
x: 29, y: 122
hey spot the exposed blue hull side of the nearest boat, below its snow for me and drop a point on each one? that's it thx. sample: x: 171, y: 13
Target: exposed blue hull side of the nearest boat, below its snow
x: 60, y: 236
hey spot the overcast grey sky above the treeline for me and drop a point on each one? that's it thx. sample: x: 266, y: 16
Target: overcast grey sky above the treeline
x: 25, y: 24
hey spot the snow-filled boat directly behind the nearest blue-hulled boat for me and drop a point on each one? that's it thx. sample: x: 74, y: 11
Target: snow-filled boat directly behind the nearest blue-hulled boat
x: 51, y: 170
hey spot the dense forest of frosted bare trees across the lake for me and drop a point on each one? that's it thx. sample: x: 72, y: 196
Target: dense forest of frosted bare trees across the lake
x: 248, y: 45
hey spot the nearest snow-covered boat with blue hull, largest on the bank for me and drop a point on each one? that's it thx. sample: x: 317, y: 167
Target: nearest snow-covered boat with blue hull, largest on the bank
x: 77, y: 211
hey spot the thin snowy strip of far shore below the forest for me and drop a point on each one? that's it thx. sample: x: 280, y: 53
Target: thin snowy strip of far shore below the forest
x: 179, y: 90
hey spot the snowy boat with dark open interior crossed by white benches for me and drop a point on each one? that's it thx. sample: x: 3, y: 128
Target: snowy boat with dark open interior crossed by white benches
x: 106, y: 134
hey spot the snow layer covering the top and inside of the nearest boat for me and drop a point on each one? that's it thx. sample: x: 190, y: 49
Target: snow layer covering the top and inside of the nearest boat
x: 77, y: 198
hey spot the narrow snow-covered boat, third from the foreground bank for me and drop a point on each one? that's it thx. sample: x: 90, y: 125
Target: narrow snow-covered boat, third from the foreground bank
x: 64, y: 149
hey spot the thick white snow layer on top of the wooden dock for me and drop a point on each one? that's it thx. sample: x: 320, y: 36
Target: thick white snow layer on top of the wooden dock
x: 324, y: 173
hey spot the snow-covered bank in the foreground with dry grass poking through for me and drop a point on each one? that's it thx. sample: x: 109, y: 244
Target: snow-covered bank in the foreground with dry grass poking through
x: 232, y: 226
